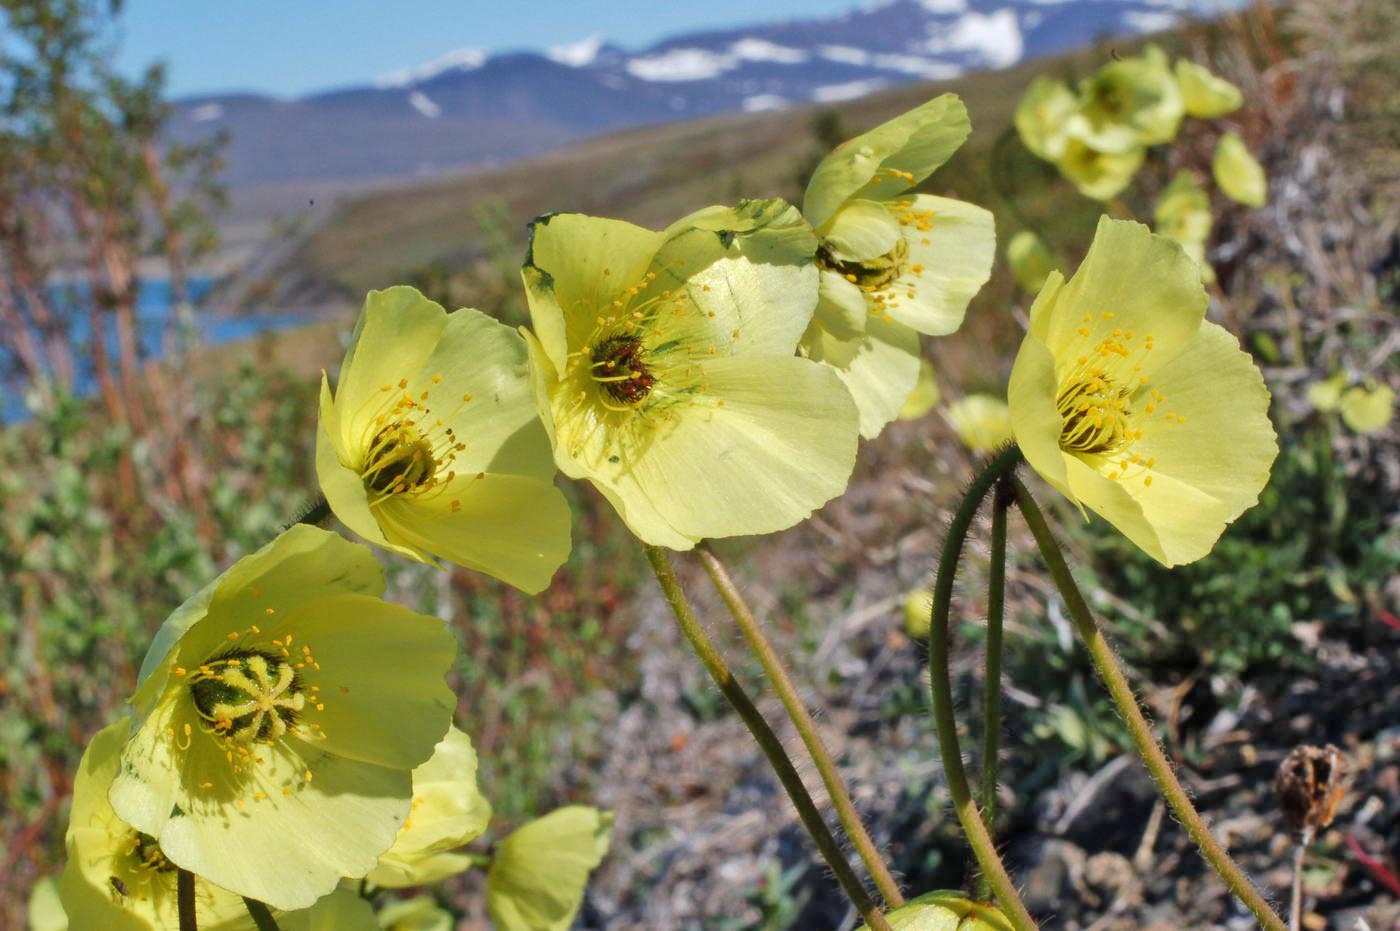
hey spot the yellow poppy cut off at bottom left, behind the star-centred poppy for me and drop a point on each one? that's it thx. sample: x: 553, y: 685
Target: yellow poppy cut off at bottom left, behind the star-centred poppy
x: 120, y: 880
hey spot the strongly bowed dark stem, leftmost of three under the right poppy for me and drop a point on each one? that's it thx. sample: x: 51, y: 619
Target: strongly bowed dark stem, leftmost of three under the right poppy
x: 943, y: 695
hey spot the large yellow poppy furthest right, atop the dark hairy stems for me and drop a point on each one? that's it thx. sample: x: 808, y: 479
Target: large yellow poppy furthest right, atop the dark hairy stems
x: 1130, y: 404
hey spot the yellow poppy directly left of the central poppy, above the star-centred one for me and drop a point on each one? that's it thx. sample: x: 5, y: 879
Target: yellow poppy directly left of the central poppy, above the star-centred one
x: 432, y: 444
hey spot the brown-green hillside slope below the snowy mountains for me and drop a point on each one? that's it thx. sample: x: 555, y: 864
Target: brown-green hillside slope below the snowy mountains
x: 650, y: 177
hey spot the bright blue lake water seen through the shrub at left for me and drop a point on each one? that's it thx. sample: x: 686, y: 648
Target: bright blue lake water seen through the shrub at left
x: 153, y: 316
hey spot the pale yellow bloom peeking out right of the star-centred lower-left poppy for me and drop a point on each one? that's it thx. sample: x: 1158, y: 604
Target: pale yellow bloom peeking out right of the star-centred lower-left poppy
x: 449, y: 813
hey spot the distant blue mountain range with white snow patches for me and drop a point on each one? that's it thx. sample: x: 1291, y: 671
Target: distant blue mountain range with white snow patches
x: 470, y: 107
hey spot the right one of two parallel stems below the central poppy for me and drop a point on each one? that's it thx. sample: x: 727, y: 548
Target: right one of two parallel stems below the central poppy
x: 806, y: 727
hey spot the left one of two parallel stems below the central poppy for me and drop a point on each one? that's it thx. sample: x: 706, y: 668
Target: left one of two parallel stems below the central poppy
x: 765, y: 737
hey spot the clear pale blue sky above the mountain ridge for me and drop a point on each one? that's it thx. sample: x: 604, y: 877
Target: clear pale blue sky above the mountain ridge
x: 292, y: 47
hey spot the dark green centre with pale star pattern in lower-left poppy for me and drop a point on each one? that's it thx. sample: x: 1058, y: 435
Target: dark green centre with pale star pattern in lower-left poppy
x: 248, y: 696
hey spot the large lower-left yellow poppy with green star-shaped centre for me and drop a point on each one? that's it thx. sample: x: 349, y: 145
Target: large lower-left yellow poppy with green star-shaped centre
x: 278, y: 719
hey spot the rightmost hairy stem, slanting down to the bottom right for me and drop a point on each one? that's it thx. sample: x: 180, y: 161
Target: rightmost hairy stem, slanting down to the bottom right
x: 1132, y: 715
